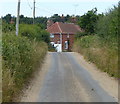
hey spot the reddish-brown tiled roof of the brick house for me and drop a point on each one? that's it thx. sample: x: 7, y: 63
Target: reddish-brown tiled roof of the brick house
x: 60, y: 27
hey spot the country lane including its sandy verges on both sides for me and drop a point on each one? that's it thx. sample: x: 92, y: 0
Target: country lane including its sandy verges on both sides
x: 67, y: 77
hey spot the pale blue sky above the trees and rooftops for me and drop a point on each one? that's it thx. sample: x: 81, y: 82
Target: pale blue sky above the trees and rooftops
x: 50, y: 7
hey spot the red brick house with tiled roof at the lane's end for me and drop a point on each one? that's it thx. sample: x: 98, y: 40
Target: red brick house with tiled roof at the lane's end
x: 62, y: 35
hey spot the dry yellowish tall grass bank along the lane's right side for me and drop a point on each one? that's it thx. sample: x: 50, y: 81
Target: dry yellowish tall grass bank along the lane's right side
x: 104, y: 57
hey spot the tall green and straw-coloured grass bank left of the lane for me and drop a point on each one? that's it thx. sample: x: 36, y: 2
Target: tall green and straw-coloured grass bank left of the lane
x: 21, y: 57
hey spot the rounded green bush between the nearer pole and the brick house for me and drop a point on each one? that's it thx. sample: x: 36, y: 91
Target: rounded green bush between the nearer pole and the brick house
x: 34, y: 32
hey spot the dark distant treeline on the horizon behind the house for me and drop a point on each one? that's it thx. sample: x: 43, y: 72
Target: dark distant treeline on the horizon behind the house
x: 42, y: 21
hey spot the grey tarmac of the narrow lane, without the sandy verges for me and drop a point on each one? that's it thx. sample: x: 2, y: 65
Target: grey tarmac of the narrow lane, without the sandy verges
x: 67, y: 81
